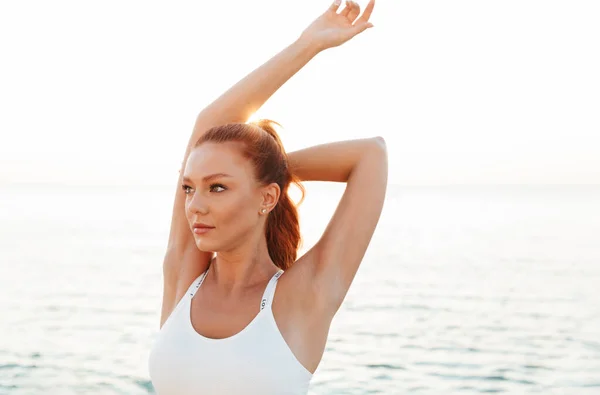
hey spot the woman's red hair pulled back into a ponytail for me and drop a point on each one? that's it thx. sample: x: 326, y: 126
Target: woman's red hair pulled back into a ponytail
x: 263, y: 147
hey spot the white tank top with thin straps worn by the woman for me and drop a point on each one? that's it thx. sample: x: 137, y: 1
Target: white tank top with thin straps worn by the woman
x: 256, y: 360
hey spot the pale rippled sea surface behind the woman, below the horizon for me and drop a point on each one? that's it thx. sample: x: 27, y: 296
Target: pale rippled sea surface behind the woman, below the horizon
x: 463, y: 290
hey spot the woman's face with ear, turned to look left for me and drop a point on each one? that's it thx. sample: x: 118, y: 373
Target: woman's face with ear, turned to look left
x: 221, y: 191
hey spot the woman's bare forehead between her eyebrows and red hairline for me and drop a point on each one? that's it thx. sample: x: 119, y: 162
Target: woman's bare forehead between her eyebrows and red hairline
x: 210, y: 158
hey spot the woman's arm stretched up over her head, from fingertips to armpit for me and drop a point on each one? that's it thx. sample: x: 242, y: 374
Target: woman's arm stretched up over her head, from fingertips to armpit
x: 183, y: 261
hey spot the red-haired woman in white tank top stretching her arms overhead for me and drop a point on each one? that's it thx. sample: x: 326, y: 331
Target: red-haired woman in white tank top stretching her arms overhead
x: 233, y: 322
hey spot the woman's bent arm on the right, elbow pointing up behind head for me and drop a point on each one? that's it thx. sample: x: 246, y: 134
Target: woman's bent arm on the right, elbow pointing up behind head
x: 334, y: 260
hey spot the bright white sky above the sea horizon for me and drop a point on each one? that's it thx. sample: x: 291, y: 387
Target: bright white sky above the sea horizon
x: 464, y: 92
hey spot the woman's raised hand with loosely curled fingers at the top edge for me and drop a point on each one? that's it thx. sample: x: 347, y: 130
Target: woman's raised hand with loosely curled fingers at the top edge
x: 332, y: 29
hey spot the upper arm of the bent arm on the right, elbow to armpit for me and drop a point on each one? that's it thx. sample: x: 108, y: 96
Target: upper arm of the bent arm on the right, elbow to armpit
x: 335, y: 258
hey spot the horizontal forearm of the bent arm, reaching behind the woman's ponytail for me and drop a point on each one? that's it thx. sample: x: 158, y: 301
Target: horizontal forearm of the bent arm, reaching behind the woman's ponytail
x: 329, y: 162
